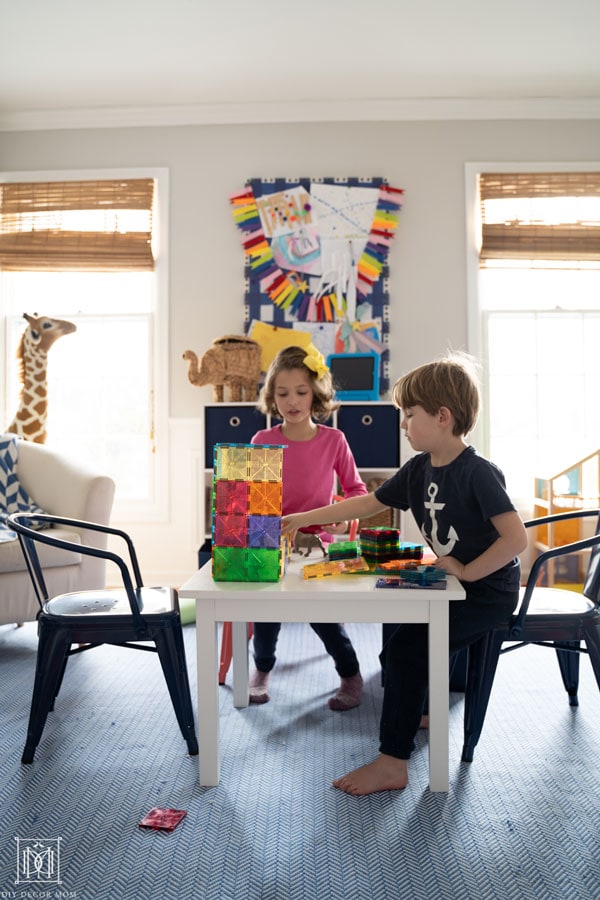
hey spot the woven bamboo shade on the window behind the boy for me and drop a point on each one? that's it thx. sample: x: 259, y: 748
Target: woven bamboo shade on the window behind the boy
x: 519, y: 222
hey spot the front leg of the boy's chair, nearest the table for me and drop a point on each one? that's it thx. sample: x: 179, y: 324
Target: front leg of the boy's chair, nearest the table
x: 481, y: 668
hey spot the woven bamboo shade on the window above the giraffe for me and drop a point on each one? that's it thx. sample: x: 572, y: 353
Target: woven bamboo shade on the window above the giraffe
x: 65, y: 225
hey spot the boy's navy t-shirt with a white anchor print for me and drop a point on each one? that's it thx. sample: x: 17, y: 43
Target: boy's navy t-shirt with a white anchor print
x: 453, y: 505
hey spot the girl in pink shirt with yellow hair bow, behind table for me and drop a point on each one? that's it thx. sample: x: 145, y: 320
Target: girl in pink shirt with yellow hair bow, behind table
x: 298, y: 389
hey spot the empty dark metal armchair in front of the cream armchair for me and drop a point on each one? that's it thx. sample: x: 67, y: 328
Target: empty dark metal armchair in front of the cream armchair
x: 76, y: 622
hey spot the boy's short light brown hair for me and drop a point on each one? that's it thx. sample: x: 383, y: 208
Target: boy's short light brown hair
x: 450, y: 381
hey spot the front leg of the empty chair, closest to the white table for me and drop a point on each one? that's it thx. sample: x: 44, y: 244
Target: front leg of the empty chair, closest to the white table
x: 171, y: 652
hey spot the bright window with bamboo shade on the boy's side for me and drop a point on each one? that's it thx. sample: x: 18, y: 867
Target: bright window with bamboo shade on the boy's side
x: 535, y: 319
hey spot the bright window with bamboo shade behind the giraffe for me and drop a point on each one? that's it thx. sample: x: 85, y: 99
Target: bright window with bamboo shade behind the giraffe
x: 90, y: 250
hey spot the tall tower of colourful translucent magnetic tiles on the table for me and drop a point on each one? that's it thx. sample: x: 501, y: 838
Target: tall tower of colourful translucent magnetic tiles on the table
x: 246, y: 522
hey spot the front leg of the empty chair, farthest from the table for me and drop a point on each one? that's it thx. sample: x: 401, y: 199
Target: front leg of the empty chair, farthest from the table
x: 52, y: 655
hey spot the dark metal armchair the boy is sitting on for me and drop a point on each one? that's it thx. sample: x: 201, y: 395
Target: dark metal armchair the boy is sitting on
x: 550, y: 617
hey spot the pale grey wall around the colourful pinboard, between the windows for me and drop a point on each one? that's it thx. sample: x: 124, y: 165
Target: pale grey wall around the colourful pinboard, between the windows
x: 206, y: 164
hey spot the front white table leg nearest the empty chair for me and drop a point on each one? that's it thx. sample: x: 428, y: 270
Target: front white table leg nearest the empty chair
x: 208, y: 694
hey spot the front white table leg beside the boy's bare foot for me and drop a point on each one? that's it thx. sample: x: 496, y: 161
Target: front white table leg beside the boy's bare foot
x: 438, y: 696
